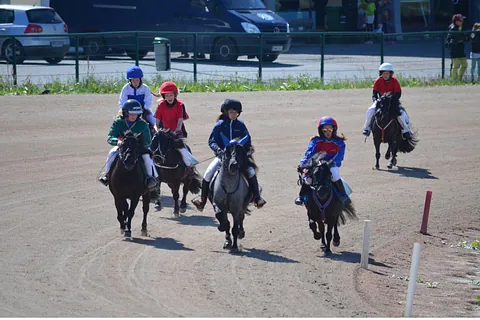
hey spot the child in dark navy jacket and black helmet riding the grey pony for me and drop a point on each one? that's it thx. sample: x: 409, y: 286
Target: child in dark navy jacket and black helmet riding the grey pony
x: 232, y: 128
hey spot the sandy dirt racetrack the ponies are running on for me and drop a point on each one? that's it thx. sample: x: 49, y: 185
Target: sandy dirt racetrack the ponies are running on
x: 63, y: 255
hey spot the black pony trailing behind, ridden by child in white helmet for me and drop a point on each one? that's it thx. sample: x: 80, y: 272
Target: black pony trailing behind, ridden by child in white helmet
x: 386, y: 129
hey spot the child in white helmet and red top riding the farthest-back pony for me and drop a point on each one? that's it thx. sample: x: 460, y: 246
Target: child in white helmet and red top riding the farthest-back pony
x: 387, y: 82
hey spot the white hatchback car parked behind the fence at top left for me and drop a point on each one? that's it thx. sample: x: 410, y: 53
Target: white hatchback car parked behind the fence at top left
x: 32, y: 20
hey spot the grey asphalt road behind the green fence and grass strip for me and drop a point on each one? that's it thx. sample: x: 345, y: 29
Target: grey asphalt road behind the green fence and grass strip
x: 355, y: 61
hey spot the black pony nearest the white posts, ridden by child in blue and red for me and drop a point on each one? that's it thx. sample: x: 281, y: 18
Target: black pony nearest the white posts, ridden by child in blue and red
x: 322, y: 203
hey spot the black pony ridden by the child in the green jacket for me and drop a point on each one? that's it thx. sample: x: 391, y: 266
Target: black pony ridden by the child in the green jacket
x: 127, y: 181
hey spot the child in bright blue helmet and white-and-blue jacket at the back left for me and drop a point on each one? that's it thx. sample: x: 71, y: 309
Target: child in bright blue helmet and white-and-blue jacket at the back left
x: 137, y: 90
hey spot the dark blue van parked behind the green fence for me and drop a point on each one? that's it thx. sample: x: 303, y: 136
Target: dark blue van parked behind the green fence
x: 248, y: 17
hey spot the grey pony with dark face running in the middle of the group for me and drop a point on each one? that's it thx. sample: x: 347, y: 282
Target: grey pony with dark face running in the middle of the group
x: 230, y: 192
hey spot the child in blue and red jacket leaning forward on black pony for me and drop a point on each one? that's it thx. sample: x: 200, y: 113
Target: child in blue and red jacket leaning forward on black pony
x: 334, y: 146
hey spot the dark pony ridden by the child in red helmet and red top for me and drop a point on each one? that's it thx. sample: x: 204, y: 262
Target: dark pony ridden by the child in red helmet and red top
x: 172, y: 170
